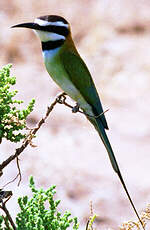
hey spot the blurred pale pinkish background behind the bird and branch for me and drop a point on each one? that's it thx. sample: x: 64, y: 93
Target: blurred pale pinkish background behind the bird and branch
x: 113, y: 37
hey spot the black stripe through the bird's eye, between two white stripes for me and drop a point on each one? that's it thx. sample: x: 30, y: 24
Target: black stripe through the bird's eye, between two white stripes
x: 61, y: 30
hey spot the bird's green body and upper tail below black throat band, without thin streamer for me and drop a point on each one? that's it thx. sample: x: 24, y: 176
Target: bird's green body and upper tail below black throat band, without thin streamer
x: 69, y: 71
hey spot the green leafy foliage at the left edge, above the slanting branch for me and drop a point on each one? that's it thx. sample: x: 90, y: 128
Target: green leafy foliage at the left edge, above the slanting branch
x: 12, y: 120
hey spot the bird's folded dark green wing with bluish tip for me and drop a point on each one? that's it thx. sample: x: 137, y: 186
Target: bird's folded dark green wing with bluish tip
x: 81, y: 78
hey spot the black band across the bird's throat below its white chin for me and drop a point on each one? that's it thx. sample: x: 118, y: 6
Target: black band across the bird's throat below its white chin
x: 50, y: 45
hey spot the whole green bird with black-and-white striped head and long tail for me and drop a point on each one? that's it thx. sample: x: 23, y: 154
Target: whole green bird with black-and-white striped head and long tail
x: 66, y: 67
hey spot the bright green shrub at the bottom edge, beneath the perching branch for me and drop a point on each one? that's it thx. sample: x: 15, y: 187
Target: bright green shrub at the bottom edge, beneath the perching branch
x: 34, y: 215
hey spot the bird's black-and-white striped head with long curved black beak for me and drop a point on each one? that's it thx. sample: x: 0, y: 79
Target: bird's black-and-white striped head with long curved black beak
x: 49, y: 28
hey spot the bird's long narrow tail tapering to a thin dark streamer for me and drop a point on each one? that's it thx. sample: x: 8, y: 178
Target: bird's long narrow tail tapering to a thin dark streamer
x: 101, y: 131
